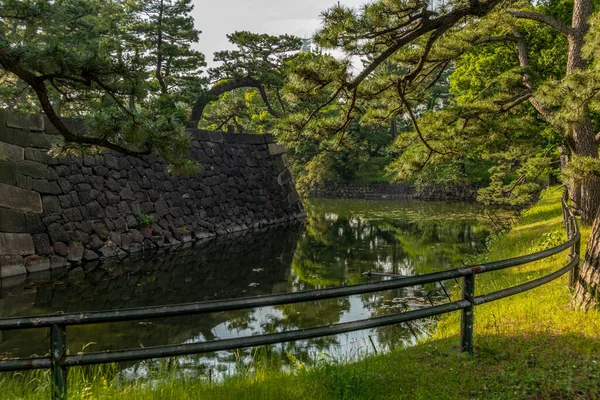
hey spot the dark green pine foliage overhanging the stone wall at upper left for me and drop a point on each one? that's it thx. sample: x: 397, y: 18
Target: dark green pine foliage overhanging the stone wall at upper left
x: 80, y: 58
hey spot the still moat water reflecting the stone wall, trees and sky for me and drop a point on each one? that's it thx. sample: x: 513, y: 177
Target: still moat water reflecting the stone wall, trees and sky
x: 339, y: 240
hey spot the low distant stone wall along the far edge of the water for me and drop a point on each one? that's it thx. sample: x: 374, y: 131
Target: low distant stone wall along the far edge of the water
x: 400, y: 191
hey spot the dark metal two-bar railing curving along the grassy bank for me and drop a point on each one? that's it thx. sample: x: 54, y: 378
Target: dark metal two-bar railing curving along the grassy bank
x: 58, y: 361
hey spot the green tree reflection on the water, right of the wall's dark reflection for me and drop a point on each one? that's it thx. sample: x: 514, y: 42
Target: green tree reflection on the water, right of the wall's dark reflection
x: 342, y: 241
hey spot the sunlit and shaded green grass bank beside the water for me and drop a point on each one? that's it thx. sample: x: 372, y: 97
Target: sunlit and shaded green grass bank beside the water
x: 529, y: 346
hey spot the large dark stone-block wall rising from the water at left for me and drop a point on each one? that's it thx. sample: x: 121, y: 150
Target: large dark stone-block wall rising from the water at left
x: 59, y: 211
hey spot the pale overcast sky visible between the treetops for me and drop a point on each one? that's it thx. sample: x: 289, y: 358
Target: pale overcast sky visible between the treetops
x: 216, y: 18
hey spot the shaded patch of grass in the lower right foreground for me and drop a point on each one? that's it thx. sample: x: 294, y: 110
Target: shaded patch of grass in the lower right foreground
x: 540, y: 366
